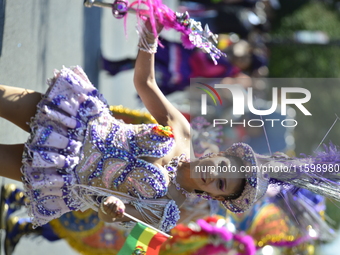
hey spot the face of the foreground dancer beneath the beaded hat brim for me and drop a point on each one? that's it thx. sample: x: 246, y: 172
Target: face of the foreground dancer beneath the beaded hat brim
x: 219, y: 176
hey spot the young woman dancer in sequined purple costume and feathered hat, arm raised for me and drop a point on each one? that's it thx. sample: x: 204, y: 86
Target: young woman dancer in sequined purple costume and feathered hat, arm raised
x: 78, y: 156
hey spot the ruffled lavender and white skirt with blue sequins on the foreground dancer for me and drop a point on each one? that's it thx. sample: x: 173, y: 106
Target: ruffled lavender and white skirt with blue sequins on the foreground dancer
x: 55, y: 145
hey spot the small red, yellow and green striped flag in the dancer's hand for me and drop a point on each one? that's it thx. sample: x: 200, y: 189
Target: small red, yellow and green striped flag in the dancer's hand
x: 142, y: 240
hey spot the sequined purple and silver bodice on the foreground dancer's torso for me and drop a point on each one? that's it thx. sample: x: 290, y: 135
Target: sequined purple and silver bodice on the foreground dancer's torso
x: 136, y: 177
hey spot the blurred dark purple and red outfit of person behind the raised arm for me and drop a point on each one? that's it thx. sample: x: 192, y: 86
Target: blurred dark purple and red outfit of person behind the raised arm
x: 175, y: 66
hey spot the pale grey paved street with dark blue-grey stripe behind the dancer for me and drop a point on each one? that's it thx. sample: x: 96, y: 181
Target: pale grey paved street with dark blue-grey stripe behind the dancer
x: 42, y: 35
